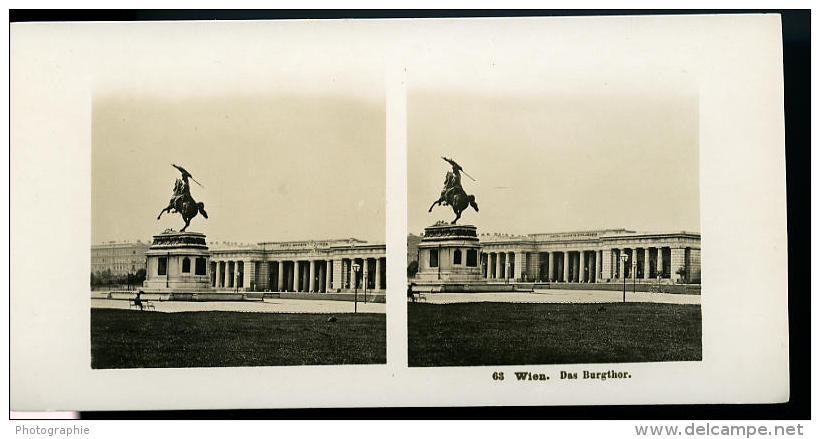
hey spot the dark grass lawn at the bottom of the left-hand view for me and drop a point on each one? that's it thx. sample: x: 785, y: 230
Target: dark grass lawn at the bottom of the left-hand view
x: 128, y: 339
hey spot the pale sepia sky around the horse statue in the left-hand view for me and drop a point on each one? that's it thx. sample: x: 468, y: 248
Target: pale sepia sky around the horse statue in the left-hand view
x: 277, y: 167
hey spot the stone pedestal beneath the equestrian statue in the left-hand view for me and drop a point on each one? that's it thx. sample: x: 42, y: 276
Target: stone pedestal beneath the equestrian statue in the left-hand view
x: 178, y: 262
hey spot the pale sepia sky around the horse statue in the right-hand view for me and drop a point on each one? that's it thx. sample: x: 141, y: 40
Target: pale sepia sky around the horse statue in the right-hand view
x: 557, y: 162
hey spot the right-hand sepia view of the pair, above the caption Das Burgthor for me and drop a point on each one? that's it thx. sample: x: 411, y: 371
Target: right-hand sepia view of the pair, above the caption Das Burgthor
x: 552, y: 228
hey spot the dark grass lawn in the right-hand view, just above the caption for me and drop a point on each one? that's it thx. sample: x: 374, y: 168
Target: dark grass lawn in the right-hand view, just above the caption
x: 483, y: 334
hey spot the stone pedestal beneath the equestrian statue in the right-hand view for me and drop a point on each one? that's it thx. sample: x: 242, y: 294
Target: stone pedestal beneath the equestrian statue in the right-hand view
x: 449, y: 253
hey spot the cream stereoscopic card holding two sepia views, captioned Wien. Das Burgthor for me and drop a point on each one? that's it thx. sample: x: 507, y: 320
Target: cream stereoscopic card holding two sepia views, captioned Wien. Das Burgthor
x: 403, y: 212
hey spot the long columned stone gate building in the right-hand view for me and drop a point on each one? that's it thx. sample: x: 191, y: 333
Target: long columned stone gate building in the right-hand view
x: 591, y: 256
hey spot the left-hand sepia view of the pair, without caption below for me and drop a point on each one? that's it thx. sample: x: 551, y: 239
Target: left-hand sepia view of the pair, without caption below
x: 234, y: 229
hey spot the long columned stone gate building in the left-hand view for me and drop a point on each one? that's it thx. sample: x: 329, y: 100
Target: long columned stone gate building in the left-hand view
x: 316, y: 266
